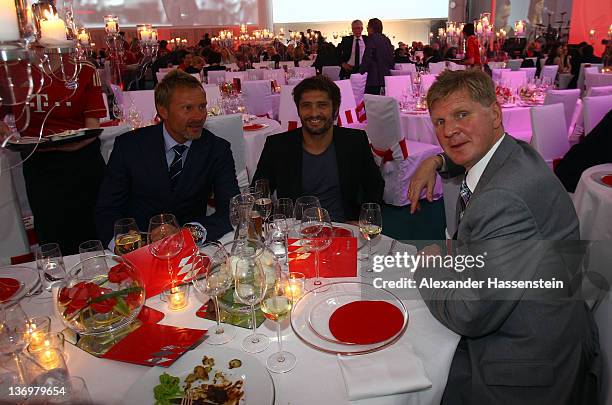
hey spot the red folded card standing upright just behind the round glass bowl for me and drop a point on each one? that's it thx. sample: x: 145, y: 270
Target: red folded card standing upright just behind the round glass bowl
x: 156, y: 273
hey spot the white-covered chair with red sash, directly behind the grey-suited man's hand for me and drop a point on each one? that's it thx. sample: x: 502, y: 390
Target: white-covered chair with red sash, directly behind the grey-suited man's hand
x: 397, y: 157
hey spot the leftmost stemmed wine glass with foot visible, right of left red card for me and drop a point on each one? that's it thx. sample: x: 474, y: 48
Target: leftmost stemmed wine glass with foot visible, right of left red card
x: 213, y: 259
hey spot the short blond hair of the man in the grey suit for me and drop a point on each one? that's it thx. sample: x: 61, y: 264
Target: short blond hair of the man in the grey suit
x: 477, y: 83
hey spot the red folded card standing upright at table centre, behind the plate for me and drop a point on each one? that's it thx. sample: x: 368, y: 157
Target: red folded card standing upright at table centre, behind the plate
x: 338, y: 260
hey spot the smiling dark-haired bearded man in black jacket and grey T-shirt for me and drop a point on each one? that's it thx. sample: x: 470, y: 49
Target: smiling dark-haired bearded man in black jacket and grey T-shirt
x: 332, y: 163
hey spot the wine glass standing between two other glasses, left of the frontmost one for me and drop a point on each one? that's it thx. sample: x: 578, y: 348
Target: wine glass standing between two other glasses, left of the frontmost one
x: 250, y: 285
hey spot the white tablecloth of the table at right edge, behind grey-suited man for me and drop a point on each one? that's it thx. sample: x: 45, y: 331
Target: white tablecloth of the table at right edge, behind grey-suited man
x: 593, y: 202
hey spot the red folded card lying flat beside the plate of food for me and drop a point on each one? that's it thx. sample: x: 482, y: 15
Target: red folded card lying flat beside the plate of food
x: 155, y: 345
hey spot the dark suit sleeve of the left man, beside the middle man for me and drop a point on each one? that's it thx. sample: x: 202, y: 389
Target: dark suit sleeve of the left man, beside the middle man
x: 225, y: 186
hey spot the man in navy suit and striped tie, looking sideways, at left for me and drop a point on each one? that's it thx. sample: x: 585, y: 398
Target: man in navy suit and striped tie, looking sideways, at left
x: 173, y: 167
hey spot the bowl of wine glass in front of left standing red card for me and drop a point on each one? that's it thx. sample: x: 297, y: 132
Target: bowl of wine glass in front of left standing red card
x: 165, y: 237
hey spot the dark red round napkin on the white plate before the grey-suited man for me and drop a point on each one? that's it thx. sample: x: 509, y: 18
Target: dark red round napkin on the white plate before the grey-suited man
x: 366, y: 322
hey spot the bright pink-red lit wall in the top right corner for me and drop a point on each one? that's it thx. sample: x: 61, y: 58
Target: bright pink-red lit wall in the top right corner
x: 587, y: 15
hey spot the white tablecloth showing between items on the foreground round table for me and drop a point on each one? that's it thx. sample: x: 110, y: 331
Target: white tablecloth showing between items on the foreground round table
x: 317, y: 377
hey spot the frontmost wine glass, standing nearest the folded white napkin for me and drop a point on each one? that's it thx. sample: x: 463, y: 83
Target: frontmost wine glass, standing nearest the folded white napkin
x: 276, y: 306
